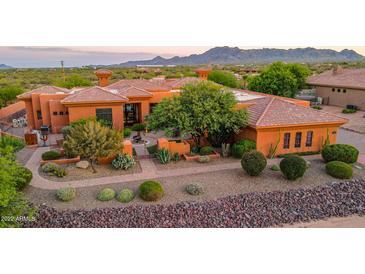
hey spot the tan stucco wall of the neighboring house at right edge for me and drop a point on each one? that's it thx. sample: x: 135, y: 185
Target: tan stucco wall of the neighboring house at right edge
x: 341, y: 99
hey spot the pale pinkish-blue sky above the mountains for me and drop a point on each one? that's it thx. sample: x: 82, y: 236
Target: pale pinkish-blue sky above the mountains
x: 24, y: 57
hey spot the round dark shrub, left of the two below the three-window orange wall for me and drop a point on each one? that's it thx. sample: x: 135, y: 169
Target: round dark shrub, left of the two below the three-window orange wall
x: 253, y: 162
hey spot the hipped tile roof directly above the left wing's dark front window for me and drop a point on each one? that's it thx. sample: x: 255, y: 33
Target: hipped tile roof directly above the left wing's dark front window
x: 93, y: 95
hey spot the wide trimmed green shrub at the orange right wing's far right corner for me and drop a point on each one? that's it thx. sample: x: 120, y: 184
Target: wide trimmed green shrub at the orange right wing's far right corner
x: 340, y: 152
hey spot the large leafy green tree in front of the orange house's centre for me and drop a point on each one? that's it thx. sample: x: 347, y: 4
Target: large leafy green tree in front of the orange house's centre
x: 203, y: 107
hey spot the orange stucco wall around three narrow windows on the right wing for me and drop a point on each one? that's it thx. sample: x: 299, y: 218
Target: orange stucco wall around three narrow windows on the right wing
x: 267, y: 137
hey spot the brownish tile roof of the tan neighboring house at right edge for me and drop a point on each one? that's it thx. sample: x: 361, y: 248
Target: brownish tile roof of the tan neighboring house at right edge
x: 350, y: 78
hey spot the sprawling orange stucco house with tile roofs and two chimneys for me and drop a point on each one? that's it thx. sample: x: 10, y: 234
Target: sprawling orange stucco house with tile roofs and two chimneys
x: 274, y: 121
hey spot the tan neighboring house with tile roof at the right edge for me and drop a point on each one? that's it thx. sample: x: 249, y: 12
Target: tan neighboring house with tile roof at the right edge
x: 340, y: 87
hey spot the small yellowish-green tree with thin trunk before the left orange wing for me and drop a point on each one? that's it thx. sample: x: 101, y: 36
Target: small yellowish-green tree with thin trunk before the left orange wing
x: 91, y: 141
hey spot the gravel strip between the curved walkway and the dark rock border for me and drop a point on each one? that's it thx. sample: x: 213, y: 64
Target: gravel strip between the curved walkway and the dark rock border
x: 216, y: 185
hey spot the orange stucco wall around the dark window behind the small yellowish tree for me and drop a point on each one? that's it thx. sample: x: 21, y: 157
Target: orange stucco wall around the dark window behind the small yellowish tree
x: 78, y: 112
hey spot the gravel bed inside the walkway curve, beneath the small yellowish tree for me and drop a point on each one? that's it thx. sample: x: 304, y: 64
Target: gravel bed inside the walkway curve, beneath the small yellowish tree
x: 74, y: 173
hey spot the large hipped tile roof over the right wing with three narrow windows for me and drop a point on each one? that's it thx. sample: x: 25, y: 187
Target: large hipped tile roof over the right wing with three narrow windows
x: 271, y: 111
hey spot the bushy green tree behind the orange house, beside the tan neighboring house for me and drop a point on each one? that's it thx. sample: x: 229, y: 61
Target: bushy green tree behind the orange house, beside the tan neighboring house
x: 280, y: 79
